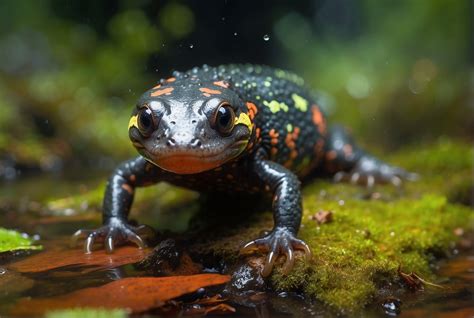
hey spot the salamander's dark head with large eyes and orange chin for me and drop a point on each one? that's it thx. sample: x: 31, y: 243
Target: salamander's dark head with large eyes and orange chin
x: 189, y: 127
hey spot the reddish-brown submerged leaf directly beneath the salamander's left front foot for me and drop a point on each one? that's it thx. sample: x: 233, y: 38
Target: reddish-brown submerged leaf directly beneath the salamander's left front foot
x: 62, y: 257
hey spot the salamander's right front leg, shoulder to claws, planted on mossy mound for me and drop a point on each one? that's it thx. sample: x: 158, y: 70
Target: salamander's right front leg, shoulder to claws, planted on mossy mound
x: 287, y: 217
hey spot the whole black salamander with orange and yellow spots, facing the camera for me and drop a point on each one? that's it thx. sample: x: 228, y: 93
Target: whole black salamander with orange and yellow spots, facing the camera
x: 237, y: 129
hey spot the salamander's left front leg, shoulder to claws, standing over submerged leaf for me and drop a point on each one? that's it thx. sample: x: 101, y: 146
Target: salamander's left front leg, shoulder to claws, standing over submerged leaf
x: 118, y: 199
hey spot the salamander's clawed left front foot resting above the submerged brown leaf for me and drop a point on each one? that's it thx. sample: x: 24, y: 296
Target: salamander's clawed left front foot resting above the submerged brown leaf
x: 115, y: 233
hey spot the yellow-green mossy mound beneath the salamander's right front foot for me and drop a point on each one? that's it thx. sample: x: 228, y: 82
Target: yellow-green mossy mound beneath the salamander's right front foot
x: 372, y: 234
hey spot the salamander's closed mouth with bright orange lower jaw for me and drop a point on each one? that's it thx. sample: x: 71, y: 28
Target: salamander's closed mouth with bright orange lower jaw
x: 184, y: 162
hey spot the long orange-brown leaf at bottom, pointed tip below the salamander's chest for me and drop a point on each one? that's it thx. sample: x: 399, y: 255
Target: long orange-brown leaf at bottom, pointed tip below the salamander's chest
x: 135, y: 294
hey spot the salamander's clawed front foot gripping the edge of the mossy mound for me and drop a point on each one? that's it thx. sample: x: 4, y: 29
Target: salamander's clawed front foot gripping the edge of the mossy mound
x: 277, y: 242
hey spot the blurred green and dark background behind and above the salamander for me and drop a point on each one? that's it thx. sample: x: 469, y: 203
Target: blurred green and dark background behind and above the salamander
x: 398, y: 72
